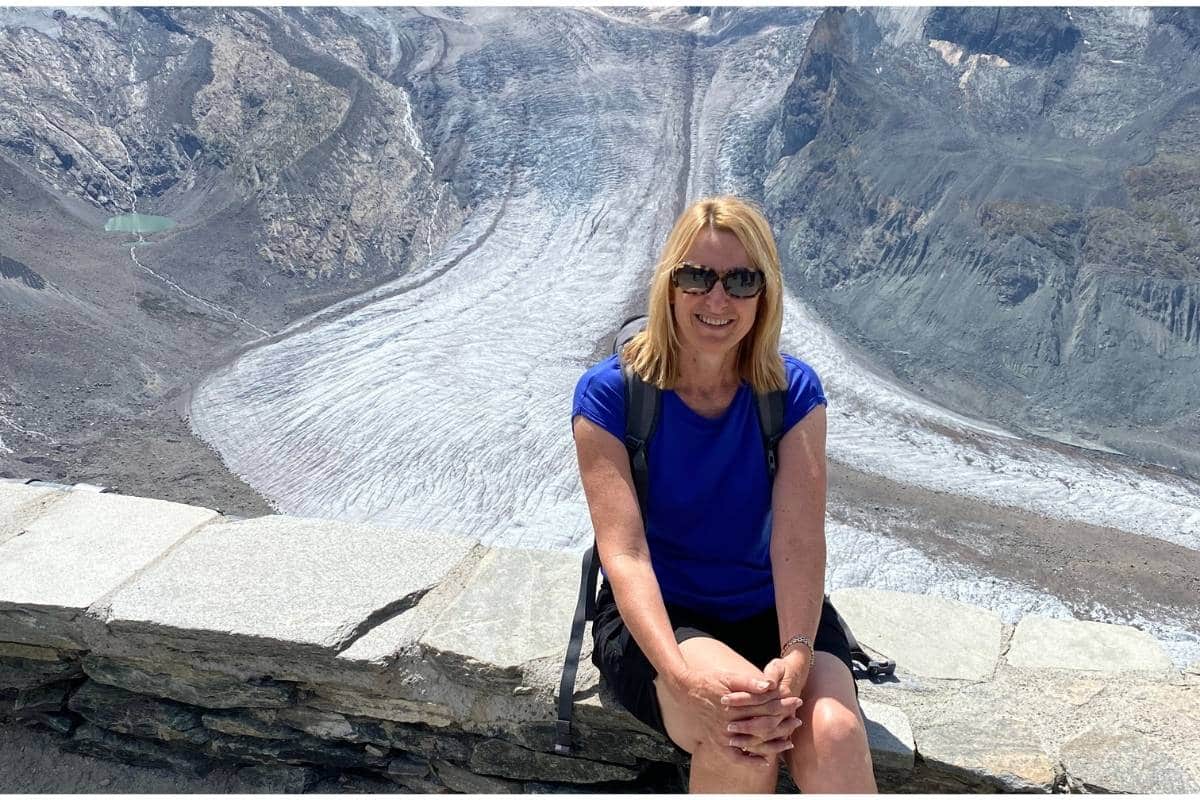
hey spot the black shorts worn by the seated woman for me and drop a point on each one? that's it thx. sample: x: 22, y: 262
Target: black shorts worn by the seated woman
x: 631, y: 675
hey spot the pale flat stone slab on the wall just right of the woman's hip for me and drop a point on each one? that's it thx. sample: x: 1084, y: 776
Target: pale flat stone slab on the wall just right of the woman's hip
x: 927, y: 636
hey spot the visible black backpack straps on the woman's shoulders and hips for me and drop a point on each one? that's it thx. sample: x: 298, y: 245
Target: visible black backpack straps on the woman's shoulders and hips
x: 643, y: 404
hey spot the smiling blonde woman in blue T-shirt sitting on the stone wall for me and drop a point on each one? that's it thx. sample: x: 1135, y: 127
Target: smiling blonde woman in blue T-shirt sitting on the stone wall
x: 711, y: 625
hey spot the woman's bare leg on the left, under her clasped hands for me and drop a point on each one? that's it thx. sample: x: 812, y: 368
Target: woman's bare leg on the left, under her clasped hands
x: 713, y: 769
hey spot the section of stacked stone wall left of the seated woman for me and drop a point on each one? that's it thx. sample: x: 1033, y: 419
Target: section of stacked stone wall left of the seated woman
x: 166, y: 636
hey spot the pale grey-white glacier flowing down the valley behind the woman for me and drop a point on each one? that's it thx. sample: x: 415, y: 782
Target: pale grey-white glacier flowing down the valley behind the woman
x: 445, y: 404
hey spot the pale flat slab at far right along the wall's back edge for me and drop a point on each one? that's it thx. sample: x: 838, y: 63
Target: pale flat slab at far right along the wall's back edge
x: 1046, y: 643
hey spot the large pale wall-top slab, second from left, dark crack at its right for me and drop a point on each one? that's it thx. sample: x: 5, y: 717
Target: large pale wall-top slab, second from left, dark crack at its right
x: 280, y: 584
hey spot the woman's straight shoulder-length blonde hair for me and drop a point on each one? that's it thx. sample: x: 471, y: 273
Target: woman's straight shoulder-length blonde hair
x: 655, y: 353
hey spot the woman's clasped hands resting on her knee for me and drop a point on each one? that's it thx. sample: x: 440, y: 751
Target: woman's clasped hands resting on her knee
x: 707, y: 693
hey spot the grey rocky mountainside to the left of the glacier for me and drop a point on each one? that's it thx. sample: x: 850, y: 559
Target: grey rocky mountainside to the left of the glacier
x: 286, y: 148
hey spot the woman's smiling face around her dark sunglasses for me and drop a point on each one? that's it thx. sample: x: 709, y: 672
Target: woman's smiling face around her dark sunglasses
x: 716, y: 322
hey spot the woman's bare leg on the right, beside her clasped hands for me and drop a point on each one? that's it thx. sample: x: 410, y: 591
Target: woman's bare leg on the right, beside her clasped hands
x: 831, y: 754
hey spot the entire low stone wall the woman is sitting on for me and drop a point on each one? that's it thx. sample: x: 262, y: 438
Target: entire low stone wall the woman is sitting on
x: 409, y: 660
